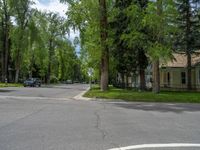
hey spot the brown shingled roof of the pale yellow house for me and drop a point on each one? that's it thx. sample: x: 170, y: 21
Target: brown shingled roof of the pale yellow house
x: 180, y: 60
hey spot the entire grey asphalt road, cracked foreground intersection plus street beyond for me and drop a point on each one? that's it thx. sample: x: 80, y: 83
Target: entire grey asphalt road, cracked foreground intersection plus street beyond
x: 52, y: 124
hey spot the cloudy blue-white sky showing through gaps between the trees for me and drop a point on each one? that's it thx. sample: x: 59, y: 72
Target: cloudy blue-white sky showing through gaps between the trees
x: 57, y: 7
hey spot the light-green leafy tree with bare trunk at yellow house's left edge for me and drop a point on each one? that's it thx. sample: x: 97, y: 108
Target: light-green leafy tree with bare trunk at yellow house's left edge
x: 161, y: 30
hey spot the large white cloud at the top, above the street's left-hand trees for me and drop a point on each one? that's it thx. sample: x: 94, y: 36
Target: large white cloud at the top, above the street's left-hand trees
x: 52, y: 6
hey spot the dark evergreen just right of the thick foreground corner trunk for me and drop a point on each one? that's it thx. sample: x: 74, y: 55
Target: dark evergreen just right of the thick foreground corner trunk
x: 124, y: 54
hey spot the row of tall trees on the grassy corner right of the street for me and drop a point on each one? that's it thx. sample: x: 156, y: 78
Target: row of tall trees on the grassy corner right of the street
x: 124, y: 36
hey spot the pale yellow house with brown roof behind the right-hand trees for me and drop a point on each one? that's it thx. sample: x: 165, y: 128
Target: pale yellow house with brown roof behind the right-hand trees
x: 174, y: 73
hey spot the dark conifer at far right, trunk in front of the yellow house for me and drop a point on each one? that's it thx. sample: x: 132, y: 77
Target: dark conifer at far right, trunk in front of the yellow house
x: 188, y: 39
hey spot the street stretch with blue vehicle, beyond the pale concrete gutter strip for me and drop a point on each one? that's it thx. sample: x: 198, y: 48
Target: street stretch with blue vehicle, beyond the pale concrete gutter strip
x: 53, y: 91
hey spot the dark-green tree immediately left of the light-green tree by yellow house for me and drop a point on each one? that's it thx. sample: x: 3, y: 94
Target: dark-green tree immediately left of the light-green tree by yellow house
x: 135, y: 35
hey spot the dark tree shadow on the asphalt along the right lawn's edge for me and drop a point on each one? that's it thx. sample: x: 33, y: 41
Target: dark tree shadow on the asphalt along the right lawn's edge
x: 176, y: 108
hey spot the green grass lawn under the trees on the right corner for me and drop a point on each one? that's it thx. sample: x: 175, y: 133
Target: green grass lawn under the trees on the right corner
x: 133, y: 95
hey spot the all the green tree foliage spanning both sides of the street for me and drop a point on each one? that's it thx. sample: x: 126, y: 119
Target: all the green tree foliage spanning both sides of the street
x: 38, y: 45
